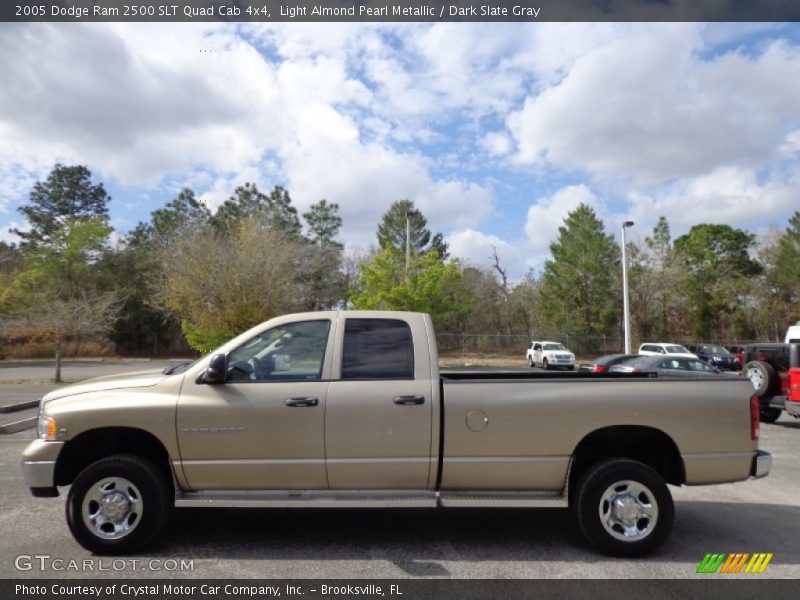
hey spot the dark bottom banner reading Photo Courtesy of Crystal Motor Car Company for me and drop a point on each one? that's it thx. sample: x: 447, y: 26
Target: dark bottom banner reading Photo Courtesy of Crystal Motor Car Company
x: 462, y: 589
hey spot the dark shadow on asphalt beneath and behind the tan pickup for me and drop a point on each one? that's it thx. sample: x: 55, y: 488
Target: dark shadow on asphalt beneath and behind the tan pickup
x: 419, y: 541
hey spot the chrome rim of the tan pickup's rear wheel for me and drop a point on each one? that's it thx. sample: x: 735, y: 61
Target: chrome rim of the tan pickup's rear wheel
x: 628, y: 511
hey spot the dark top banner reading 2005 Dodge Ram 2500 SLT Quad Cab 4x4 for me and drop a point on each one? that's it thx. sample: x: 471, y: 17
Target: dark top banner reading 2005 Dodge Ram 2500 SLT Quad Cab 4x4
x: 399, y: 10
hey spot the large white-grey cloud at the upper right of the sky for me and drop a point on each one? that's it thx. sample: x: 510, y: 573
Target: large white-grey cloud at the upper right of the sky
x: 646, y: 106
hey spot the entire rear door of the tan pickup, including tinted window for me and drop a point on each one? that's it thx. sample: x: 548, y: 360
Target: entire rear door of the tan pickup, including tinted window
x: 379, y: 411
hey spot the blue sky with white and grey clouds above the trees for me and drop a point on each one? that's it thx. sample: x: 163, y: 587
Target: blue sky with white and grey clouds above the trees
x: 496, y: 131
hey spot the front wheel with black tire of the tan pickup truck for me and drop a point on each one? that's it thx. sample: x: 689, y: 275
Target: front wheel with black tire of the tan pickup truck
x: 136, y: 488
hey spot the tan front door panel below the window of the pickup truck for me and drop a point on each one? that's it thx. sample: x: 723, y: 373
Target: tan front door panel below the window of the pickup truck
x: 245, y: 436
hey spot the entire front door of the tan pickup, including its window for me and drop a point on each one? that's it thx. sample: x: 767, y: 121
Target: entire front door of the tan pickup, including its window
x: 264, y: 427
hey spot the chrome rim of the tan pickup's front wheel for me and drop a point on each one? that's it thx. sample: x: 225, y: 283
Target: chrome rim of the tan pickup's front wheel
x: 112, y: 508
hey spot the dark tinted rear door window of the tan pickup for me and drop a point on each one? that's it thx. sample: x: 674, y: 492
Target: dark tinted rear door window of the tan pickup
x: 377, y: 349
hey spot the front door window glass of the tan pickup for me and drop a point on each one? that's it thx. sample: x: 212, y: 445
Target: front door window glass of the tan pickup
x: 295, y: 351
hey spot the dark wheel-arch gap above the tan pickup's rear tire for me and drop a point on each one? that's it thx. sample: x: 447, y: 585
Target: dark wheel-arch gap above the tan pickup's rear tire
x: 641, y: 443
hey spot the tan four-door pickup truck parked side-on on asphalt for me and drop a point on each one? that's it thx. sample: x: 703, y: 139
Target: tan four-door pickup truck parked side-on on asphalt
x: 349, y: 409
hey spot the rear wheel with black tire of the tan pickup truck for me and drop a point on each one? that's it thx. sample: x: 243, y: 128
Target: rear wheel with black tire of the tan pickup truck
x: 592, y: 499
